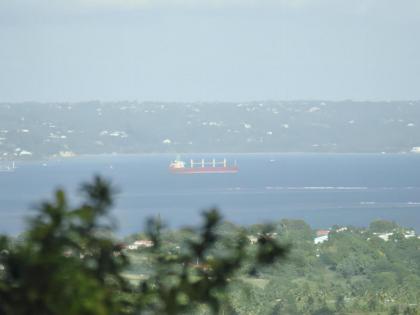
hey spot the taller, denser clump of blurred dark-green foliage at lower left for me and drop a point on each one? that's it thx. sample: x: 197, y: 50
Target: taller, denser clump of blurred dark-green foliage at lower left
x: 67, y: 262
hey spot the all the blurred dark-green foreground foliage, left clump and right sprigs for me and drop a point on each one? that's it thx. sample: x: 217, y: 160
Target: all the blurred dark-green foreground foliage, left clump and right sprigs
x: 67, y: 262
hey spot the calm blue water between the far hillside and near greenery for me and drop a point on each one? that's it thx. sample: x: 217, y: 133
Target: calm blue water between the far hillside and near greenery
x: 321, y: 189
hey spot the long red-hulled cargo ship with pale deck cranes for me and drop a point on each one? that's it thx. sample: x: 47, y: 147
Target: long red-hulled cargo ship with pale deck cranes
x: 202, y: 167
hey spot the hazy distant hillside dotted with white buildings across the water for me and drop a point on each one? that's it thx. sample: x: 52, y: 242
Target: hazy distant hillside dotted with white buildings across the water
x: 42, y: 130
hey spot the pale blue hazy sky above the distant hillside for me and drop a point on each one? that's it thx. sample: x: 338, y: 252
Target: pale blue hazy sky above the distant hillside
x: 71, y: 50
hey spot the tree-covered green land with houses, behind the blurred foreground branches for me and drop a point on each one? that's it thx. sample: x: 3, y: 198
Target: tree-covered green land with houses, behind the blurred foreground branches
x: 355, y: 271
